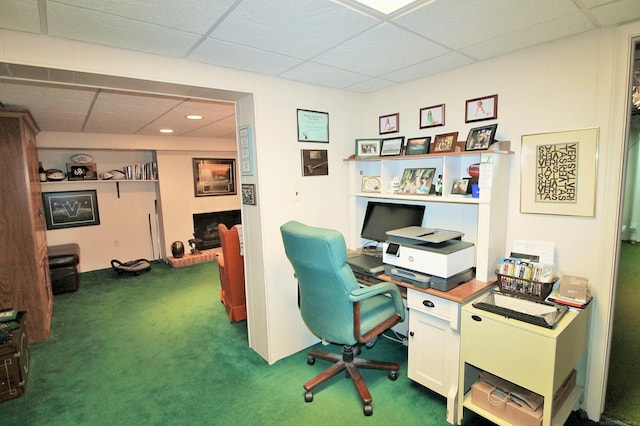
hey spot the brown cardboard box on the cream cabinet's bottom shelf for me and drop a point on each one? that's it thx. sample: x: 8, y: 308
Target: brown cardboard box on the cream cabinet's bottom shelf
x: 499, y: 404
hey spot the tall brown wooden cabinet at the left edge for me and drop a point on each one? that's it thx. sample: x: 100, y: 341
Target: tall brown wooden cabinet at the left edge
x: 24, y: 268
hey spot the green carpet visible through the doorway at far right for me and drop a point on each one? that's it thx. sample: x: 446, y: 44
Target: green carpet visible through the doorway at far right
x: 623, y: 386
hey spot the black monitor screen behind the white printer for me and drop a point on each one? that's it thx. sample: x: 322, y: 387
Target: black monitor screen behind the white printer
x: 383, y: 217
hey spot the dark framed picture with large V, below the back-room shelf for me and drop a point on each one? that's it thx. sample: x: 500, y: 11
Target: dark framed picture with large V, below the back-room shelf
x: 70, y: 209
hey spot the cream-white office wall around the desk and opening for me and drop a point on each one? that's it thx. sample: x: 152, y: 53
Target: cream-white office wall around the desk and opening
x: 573, y: 83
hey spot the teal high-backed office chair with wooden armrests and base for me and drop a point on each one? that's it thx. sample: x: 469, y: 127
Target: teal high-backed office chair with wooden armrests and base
x: 335, y: 308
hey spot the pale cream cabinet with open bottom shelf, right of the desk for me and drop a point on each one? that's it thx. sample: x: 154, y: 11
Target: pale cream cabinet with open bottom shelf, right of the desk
x: 536, y: 358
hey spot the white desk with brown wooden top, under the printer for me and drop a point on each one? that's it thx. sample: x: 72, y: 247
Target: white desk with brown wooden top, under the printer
x: 434, y: 336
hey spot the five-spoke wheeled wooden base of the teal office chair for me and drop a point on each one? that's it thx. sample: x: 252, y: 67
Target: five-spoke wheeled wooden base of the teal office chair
x: 348, y: 363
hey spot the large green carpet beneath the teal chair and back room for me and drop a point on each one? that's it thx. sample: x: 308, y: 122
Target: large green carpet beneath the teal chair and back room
x: 158, y: 349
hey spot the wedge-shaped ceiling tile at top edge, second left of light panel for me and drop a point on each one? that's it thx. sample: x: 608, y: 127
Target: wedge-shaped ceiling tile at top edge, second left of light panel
x: 195, y: 16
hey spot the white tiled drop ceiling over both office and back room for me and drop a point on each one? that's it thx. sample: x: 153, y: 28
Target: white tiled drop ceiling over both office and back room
x: 338, y: 44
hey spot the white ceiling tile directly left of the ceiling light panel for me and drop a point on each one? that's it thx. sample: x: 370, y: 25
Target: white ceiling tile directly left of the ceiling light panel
x: 299, y: 28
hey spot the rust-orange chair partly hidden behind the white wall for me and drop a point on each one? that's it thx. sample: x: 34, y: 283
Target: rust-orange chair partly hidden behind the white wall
x: 231, y: 264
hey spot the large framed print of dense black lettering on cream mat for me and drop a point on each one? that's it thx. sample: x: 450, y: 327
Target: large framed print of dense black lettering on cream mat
x: 558, y: 172
